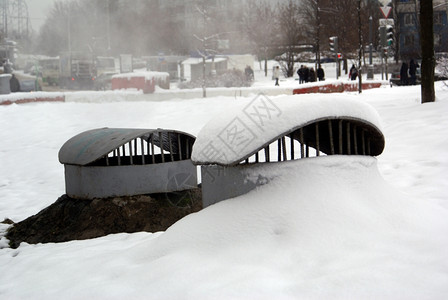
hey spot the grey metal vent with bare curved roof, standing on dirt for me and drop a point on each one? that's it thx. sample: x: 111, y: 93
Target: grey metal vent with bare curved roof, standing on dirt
x: 108, y: 162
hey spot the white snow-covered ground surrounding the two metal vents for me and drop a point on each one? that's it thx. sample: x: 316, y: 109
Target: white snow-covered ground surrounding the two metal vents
x: 326, y: 228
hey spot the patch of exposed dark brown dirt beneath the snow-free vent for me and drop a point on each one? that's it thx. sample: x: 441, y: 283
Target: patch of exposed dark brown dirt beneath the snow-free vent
x: 76, y: 219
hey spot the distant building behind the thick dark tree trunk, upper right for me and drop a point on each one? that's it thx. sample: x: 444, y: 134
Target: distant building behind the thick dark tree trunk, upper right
x: 408, y: 29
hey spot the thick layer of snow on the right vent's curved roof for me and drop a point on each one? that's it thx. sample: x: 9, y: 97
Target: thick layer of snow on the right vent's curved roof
x: 235, y: 134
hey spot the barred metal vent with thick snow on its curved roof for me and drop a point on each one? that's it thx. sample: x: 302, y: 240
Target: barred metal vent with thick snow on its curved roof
x: 232, y: 145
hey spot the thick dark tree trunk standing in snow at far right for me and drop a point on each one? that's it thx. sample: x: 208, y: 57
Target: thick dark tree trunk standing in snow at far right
x: 427, y: 46
